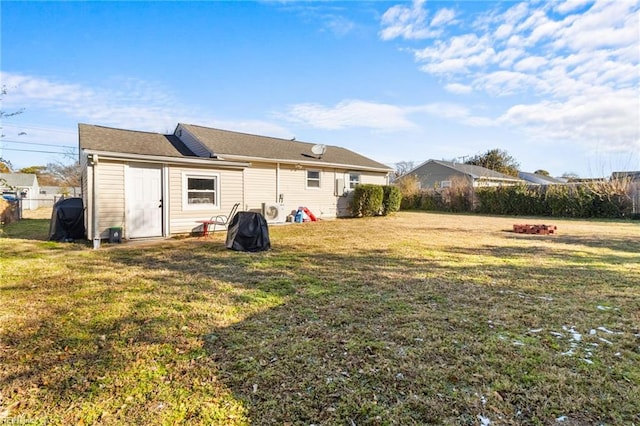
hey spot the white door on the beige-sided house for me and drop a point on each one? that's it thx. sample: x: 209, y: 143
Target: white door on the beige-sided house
x: 144, y: 199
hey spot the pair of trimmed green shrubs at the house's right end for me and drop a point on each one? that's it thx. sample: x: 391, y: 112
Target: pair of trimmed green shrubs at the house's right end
x: 375, y: 200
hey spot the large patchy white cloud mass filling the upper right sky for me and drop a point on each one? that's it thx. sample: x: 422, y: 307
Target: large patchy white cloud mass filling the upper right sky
x: 578, y: 63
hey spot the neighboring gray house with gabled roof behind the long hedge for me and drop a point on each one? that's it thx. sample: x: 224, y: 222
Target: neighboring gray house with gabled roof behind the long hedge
x: 443, y: 174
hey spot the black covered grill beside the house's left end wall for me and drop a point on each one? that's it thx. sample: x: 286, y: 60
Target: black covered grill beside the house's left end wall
x: 67, y: 220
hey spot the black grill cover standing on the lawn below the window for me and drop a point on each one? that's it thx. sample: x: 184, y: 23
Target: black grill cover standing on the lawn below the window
x: 248, y: 231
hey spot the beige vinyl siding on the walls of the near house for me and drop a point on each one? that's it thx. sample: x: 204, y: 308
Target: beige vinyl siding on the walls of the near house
x: 251, y: 187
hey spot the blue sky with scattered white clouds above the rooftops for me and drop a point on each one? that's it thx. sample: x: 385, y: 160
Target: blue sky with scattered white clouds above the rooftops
x: 554, y: 84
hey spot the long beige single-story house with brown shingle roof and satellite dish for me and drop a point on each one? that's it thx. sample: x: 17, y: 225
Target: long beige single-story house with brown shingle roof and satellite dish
x: 157, y: 185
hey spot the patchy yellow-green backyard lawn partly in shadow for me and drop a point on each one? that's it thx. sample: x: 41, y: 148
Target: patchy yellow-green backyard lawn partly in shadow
x: 416, y: 318
